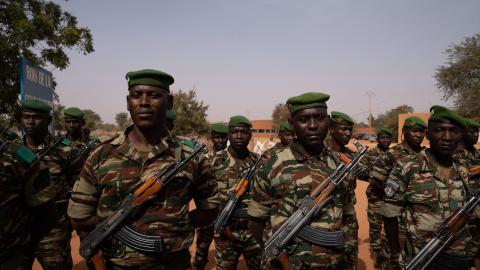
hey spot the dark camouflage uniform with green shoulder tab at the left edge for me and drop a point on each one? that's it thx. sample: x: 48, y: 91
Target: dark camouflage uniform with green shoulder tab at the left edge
x: 24, y: 184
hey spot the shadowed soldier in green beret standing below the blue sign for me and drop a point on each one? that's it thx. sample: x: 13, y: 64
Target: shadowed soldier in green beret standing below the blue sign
x: 64, y: 164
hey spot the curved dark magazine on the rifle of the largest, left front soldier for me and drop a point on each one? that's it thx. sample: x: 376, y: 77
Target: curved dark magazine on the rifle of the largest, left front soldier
x: 140, y: 242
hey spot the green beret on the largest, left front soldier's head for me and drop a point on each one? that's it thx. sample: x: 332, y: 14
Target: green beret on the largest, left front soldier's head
x: 149, y: 77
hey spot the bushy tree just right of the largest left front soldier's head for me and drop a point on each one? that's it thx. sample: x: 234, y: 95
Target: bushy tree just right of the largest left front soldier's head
x: 192, y: 116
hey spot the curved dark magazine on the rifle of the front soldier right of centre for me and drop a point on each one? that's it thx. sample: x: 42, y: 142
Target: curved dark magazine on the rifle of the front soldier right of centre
x: 322, y: 238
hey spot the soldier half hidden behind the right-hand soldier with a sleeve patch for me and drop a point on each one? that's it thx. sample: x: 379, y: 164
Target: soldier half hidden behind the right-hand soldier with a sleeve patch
x: 413, y: 131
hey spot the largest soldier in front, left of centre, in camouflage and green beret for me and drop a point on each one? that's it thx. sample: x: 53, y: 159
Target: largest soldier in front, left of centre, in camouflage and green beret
x: 120, y: 165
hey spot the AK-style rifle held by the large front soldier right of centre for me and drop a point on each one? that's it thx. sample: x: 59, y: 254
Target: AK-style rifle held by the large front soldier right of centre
x: 297, y: 225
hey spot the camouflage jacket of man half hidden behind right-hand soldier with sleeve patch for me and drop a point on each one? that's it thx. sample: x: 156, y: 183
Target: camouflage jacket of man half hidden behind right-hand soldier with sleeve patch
x: 388, y: 159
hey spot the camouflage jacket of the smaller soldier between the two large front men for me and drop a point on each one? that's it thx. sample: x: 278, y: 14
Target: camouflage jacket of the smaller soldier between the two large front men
x: 228, y: 175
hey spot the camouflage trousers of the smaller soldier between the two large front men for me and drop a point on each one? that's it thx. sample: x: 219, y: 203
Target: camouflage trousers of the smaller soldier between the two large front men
x: 228, y: 253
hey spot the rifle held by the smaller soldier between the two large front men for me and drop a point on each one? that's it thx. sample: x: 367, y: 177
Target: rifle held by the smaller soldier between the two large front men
x: 236, y: 197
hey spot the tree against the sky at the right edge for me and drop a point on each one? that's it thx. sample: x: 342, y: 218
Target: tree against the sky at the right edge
x: 459, y: 78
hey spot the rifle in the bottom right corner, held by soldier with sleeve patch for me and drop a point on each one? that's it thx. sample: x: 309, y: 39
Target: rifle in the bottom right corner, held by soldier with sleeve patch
x: 444, y: 237
